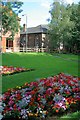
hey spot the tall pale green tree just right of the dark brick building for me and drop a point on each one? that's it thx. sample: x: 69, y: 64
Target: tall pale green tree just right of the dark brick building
x: 60, y: 26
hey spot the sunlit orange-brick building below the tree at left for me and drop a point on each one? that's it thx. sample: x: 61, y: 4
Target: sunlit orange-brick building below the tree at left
x: 10, y: 45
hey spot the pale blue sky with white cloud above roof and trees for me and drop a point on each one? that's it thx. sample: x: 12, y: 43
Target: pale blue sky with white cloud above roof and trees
x: 36, y: 12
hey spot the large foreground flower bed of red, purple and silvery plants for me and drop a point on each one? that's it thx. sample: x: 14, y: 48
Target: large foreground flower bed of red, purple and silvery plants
x: 48, y: 96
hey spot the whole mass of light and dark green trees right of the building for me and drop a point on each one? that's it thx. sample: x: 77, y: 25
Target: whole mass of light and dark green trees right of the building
x: 64, y: 27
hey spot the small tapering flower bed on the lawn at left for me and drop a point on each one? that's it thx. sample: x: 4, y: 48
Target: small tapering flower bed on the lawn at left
x: 5, y: 70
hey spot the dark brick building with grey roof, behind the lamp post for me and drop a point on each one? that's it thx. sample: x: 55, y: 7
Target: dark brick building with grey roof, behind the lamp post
x: 34, y: 37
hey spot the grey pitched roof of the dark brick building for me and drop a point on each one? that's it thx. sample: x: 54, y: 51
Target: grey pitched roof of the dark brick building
x: 37, y: 29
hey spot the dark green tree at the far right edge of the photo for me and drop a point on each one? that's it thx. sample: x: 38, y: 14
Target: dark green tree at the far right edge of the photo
x: 75, y: 17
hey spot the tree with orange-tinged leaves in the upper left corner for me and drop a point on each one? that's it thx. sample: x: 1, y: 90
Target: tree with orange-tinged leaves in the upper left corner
x: 10, y: 19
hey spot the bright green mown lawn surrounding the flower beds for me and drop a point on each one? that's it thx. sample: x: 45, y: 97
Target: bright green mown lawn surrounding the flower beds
x: 45, y: 65
